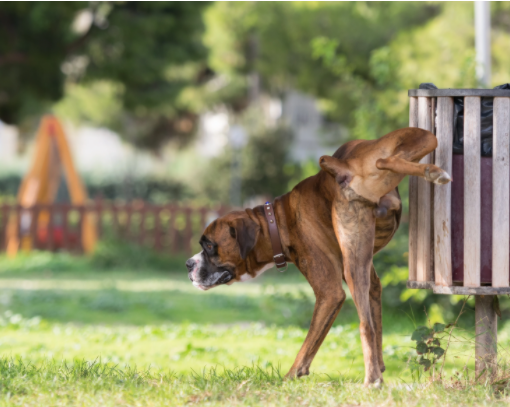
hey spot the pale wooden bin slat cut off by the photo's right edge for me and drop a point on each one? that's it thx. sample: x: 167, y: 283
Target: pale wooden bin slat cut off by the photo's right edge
x: 501, y: 193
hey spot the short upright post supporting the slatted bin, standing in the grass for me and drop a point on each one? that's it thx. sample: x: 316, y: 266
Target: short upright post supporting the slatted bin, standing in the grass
x: 486, y: 325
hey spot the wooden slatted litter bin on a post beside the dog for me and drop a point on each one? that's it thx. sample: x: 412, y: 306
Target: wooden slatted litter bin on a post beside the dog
x: 459, y: 232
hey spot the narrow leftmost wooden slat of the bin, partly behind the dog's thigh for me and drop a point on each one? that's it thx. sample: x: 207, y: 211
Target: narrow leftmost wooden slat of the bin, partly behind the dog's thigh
x: 413, y: 200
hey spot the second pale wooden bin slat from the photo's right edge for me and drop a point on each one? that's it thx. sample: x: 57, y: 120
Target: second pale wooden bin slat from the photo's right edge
x: 472, y: 201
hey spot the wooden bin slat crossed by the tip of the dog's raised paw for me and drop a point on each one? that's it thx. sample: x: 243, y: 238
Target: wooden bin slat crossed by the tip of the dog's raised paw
x: 443, y: 194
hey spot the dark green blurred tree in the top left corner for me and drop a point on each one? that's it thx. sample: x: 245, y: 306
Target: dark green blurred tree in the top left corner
x: 147, y: 48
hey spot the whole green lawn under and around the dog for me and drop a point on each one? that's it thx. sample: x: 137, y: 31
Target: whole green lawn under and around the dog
x: 73, y: 333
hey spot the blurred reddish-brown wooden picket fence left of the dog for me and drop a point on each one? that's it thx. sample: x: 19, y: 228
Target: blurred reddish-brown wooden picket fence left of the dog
x: 167, y: 228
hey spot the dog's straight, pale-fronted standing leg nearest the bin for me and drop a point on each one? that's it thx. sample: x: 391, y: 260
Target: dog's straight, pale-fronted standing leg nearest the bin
x: 354, y: 224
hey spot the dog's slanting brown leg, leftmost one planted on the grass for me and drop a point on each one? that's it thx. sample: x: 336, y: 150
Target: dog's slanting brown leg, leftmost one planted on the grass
x: 326, y: 281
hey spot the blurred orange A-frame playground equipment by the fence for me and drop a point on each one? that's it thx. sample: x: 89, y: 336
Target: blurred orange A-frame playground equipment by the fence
x: 52, y: 165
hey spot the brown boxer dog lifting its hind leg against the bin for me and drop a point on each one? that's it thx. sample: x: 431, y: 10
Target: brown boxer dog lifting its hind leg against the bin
x: 330, y: 226
